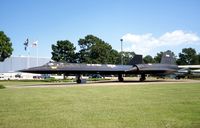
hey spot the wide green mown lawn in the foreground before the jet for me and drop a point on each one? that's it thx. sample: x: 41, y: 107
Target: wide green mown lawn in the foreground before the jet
x: 136, y: 106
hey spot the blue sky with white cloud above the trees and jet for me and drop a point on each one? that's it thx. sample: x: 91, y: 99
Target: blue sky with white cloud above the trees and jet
x: 146, y: 26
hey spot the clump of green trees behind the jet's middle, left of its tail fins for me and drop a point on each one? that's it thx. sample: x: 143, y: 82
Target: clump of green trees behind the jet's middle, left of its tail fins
x: 93, y: 50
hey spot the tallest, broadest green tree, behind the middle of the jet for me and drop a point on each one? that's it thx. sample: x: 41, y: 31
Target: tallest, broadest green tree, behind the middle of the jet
x: 94, y: 50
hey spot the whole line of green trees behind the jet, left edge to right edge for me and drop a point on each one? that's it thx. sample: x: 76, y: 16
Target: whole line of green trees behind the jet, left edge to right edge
x: 94, y: 50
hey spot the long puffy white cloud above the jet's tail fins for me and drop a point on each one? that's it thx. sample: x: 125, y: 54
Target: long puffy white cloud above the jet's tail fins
x: 142, y: 44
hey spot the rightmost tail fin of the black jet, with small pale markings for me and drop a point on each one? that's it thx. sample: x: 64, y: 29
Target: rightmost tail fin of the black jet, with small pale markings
x: 168, y: 58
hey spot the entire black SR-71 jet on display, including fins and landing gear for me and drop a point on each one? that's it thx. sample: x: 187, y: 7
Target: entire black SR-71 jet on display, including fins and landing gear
x: 167, y: 66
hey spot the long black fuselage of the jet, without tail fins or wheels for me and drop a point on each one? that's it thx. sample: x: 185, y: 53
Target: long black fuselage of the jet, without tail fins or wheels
x: 73, y: 68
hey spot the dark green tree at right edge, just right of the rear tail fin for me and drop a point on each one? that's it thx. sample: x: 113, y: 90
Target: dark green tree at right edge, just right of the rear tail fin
x: 188, y: 57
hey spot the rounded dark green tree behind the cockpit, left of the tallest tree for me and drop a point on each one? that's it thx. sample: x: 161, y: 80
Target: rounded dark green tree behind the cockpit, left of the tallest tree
x: 64, y: 51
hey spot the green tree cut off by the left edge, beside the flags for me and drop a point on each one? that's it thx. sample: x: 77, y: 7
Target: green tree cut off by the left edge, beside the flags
x: 5, y: 46
